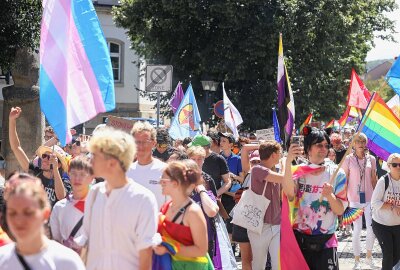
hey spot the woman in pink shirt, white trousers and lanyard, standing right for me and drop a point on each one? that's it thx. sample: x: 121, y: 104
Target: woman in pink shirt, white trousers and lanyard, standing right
x: 360, y: 169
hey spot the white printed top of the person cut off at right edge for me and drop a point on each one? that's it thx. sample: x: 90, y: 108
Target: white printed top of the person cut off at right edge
x: 380, y: 196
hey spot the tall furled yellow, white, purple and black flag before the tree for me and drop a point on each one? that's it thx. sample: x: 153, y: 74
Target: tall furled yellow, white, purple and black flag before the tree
x: 286, y: 112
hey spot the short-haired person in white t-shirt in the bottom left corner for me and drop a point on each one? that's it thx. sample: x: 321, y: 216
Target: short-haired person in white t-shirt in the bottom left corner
x: 27, y: 210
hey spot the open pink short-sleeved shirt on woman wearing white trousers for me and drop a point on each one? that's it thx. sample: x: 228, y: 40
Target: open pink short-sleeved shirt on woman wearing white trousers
x: 353, y: 167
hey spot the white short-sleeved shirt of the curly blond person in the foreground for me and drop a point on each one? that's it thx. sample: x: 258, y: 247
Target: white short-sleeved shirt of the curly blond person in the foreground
x: 119, y: 225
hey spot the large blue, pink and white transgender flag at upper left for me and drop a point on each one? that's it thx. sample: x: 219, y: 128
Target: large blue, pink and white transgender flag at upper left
x: 76, y: 80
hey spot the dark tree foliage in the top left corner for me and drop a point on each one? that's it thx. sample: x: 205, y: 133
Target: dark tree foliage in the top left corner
x: 19, y: 28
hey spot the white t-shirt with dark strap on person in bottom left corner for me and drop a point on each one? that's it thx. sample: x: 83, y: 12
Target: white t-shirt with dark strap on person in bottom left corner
x: 54, y: 257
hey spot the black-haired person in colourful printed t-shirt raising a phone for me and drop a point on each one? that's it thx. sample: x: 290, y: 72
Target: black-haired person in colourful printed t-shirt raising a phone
x: 317, y: 201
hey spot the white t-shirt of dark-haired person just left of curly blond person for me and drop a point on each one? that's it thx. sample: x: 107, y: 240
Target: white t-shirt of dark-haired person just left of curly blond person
x: 63, y: 219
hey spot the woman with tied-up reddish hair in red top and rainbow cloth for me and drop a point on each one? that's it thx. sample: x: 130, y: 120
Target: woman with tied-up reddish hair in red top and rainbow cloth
x: 181, y: 220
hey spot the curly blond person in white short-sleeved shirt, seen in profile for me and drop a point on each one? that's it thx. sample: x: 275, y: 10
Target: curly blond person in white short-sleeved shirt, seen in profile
x: 120, y: 215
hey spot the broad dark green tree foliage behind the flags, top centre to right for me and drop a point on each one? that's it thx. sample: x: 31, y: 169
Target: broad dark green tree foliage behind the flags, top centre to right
x: 237, y: 42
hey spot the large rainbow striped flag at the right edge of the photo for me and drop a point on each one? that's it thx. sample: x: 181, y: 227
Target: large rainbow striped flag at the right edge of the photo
x: 382, y: 128
